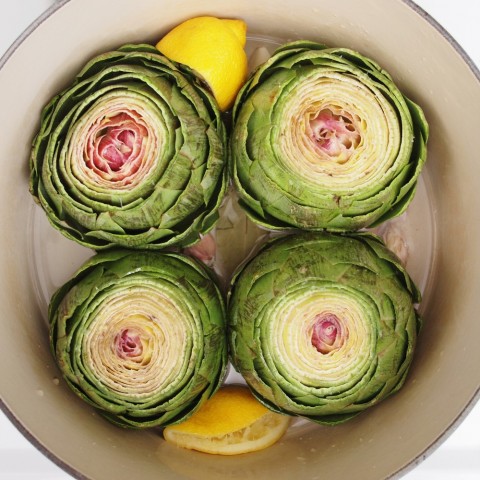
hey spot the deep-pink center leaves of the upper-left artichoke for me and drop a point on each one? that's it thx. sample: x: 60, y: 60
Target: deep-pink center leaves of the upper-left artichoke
x: 115, y: 143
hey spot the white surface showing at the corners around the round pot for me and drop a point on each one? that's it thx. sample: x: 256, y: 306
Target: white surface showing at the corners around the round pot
x: 457, y: 459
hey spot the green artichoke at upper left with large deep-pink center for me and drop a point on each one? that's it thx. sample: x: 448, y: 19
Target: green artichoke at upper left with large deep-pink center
x: 131, y: 154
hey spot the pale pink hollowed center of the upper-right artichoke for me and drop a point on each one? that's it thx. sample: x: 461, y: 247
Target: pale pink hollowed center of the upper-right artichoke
x: 334, y: 133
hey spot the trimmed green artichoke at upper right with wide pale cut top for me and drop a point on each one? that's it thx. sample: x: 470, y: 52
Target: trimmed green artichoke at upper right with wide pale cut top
x: 323, y: 139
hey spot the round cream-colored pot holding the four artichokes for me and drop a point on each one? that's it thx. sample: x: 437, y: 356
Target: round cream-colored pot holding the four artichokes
x: 443, y: 230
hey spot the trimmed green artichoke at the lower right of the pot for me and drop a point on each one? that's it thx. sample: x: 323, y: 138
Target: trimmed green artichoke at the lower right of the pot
x: 323, y: 325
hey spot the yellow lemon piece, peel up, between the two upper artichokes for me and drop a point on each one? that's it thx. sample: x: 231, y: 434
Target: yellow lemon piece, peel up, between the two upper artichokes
x: 214, y: 48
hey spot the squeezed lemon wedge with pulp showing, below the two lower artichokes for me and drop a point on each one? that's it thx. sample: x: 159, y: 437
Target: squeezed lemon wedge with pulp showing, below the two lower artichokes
x: 230, y: 423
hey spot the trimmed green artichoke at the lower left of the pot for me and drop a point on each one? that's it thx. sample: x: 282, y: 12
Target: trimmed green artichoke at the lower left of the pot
x: 140, y: 335
